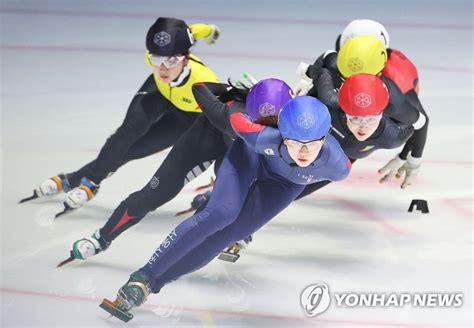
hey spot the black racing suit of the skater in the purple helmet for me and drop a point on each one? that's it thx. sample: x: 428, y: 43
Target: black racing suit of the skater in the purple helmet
x: 204, y: 142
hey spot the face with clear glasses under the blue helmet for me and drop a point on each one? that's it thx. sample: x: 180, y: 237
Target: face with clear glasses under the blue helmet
x: 304, y: 152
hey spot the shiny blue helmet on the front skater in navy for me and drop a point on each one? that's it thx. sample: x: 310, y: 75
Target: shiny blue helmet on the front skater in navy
x: 304, y: 118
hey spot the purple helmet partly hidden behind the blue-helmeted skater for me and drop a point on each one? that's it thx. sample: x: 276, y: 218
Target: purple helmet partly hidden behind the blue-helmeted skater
x: 267, y: 97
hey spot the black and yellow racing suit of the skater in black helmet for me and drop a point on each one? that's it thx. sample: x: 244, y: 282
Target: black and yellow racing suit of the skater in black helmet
x: 157, y: 116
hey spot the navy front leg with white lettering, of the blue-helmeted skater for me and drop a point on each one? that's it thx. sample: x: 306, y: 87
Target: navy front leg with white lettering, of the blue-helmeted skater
x: 238, y: 170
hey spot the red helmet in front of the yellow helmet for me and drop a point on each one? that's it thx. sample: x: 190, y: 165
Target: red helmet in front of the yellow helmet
x: 363, y: 95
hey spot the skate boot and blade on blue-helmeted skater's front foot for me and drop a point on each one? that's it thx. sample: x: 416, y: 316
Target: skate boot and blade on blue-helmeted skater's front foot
x: 133, y: 294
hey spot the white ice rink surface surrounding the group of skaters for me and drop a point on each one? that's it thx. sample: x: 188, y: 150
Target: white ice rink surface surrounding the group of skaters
x: 69, y: 70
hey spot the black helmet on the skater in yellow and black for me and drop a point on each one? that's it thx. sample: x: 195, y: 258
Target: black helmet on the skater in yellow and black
x: 169, y: 37
